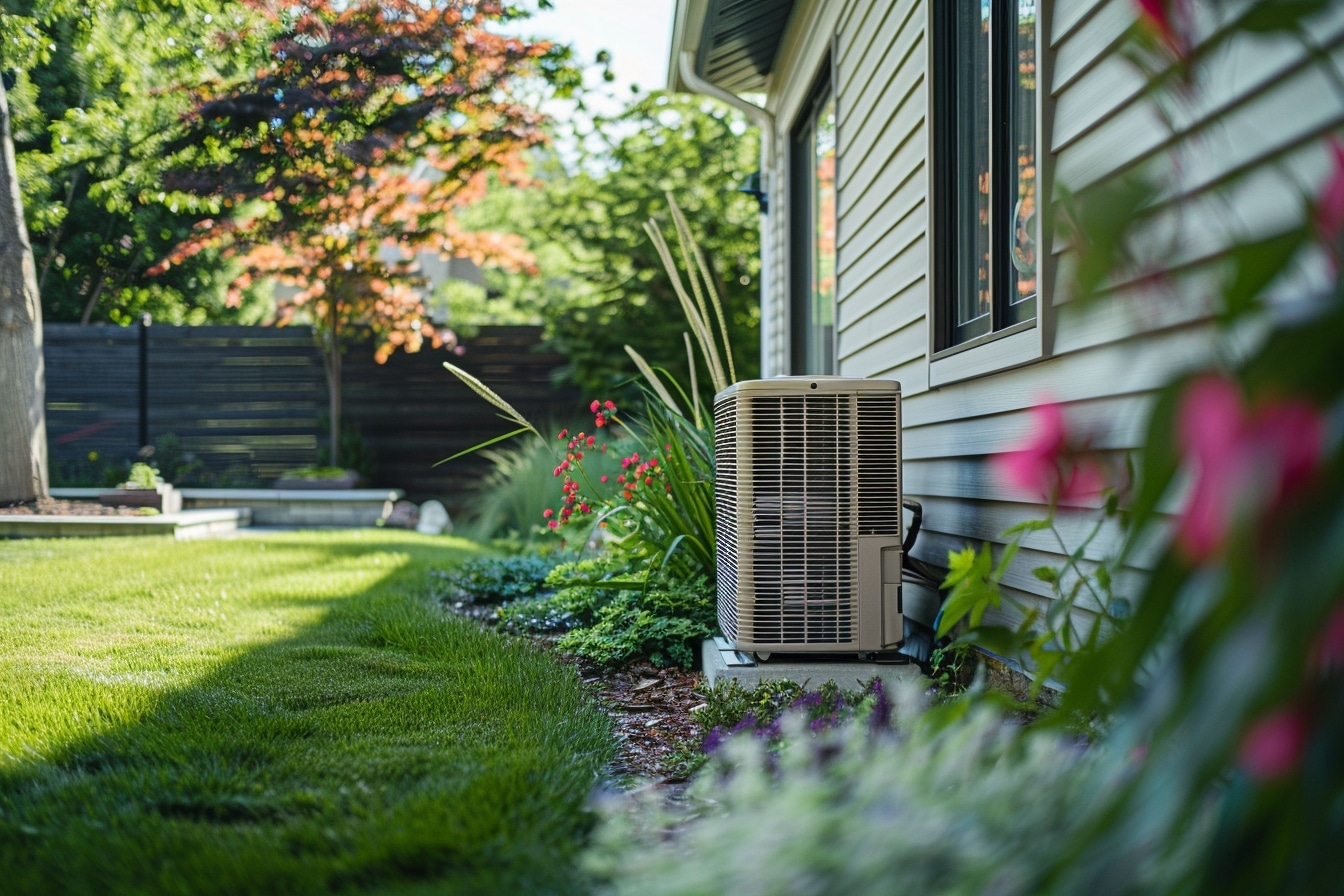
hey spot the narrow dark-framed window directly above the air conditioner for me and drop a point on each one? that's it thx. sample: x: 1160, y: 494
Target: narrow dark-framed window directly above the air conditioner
x: 812, y: 181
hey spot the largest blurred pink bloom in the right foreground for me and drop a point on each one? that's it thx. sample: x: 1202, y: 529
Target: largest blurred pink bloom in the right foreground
x: 1245, y: 461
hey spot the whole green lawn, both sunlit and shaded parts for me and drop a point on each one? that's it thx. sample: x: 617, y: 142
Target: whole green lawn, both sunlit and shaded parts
x: 282, y: 714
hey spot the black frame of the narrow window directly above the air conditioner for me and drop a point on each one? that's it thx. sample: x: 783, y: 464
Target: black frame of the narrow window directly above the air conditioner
x: 803, y: 327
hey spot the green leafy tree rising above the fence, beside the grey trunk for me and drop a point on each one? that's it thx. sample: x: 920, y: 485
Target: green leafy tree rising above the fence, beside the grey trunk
x: 91, y: 116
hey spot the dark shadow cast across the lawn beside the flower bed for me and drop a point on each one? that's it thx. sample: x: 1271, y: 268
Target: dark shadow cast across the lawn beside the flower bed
x: 382, y: 748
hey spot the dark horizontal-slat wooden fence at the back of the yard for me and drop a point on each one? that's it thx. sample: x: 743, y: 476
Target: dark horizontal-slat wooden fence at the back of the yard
x: 251, y: 401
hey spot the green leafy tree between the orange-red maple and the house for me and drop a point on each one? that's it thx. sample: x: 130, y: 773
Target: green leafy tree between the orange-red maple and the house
x: 601, y: 280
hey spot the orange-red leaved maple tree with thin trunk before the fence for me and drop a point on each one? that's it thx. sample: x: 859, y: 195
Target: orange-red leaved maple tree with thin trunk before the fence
x: 347, y: 152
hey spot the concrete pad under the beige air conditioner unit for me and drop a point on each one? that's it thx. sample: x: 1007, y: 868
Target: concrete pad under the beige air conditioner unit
x: 722, y: 663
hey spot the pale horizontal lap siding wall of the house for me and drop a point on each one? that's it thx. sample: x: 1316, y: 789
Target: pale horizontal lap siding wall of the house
x: 1261, y: 123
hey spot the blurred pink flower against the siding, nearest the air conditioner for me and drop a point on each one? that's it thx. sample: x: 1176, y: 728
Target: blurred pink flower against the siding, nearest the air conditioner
x: 1048, y: 465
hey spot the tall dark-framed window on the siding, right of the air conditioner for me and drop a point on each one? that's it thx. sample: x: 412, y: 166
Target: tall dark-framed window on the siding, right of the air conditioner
x: 984, y: 174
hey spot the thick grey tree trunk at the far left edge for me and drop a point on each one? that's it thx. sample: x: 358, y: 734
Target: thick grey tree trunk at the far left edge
x: 24, y: 424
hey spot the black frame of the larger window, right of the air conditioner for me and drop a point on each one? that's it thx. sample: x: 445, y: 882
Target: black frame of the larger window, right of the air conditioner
x: 951, y: 185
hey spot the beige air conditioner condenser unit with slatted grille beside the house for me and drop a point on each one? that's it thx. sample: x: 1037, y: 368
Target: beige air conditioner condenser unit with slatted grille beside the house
x: 808, y: 515
